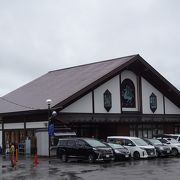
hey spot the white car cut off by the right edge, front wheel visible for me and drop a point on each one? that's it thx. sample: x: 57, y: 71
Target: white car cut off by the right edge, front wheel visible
x: 171, y: 142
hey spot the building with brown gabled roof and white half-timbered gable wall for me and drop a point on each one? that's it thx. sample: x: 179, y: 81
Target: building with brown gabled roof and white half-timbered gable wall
x: 123, y: 96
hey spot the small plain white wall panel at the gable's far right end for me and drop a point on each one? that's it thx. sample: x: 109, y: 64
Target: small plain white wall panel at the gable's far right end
x: 170, y: 108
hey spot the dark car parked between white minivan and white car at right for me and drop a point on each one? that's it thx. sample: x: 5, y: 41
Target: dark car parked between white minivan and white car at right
x: 161, y: 149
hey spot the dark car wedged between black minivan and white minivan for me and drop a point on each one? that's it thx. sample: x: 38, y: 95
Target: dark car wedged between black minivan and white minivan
x: 120, y: 152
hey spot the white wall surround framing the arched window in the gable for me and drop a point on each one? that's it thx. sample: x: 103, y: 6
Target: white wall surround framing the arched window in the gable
x: 130, y: 75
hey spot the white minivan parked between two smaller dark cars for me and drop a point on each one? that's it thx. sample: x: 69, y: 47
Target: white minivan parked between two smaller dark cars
x: 137, y: 146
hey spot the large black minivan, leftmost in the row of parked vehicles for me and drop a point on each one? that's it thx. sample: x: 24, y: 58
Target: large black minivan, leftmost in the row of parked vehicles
x: 84, y: 148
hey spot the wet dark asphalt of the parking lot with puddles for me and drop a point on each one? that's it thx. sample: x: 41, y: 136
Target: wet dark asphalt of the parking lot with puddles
x: 153, y: 169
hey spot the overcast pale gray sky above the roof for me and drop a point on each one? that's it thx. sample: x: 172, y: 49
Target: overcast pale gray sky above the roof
x: 38, y: 36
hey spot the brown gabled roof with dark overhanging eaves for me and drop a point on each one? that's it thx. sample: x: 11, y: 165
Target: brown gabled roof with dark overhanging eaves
x: 66, y: 85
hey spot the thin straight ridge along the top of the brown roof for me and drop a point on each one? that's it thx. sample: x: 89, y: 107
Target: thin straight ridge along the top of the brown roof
x: 93, y: 63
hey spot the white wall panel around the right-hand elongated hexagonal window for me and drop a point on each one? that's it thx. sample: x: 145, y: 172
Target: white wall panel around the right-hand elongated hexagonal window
x: 147, y: 90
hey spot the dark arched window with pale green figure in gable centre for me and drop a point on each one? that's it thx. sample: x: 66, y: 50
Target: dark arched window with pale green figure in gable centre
x: 128, y: 99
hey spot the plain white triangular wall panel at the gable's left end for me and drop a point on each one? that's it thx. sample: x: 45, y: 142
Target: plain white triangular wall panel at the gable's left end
x: 83, y: 105
